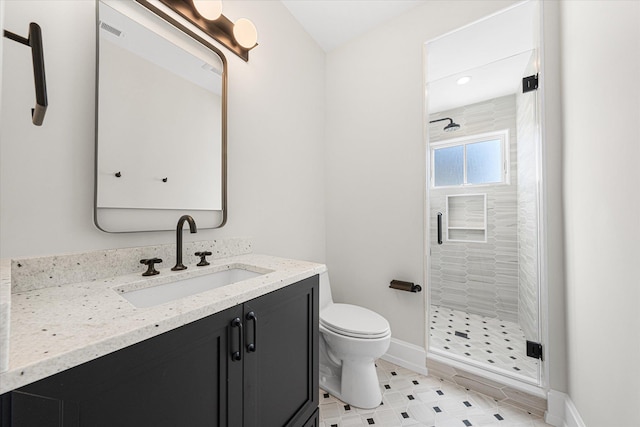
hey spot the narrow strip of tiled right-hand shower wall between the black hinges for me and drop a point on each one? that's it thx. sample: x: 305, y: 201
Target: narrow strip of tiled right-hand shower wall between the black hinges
x: 527, y: 211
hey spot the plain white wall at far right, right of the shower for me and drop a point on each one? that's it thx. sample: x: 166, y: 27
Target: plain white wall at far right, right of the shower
x: 601, y: 63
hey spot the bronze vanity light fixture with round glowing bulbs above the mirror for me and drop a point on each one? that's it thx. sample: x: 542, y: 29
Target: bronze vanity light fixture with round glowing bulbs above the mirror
x: 207, y: 16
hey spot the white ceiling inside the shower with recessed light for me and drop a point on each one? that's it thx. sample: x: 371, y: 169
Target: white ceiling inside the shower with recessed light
x: 495, y: 52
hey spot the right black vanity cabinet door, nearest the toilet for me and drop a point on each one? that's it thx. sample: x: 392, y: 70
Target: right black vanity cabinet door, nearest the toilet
x: 281, y: 375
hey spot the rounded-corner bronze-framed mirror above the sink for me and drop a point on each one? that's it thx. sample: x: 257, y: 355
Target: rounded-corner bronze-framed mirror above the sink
x: 160, y: 122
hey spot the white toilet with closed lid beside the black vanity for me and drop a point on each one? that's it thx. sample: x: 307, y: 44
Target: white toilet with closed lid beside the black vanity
x: 351, y: 339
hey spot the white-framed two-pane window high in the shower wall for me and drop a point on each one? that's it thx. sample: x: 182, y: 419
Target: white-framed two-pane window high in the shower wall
x: 472, y: 160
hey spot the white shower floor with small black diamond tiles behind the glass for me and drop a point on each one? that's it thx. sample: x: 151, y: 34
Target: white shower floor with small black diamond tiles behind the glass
x: 498, y: 343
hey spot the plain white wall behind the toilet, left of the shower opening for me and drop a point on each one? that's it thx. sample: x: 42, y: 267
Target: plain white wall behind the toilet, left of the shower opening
x: 375, y: 161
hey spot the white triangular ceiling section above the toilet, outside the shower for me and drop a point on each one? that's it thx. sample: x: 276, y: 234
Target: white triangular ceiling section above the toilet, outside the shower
x: 334, y: 22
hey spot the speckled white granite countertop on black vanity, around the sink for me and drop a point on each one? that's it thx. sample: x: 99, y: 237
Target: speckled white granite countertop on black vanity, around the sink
x: 59, y: 327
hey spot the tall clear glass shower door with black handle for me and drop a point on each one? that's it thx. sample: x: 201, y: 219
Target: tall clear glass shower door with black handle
x: 483, y: 182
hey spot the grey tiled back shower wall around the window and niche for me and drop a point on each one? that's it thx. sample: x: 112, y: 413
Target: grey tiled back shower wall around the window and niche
x: 479, y: 278
